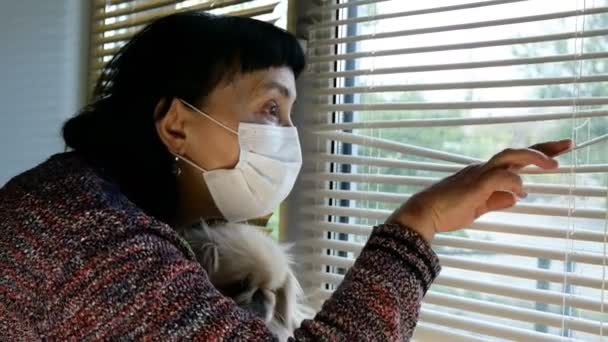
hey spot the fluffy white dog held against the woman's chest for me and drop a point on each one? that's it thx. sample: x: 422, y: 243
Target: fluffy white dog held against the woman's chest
x: 253, y: 269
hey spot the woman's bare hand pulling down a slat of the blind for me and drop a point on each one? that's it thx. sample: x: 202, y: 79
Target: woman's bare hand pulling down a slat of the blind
x: 456, y: 201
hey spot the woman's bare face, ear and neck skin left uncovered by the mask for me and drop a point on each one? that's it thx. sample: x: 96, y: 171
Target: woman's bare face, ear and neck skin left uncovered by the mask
x: 262, y: 97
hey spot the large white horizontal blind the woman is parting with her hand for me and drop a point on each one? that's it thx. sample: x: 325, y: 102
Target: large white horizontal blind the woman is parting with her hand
x: 404, y: 93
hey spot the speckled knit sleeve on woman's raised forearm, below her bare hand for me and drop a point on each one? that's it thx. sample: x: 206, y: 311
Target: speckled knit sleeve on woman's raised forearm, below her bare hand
x: 380, y: 296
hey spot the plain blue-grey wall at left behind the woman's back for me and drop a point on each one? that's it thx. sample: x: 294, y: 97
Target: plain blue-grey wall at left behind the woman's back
x: 44, y: 49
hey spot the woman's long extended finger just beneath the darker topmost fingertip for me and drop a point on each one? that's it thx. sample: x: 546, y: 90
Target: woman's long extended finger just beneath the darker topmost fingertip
x: 518, y: 158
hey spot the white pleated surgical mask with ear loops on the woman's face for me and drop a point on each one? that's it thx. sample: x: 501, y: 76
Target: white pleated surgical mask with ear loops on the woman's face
x: 269, y: 162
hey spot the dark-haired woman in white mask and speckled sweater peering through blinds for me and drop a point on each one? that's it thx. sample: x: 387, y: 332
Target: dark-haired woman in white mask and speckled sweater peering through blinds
x: 191, y: 119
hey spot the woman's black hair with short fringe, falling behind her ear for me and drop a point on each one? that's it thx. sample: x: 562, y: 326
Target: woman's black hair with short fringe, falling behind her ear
x: 182, y: 56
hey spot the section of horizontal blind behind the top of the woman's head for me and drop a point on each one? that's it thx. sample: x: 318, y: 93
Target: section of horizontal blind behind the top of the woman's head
x: 116, y: 21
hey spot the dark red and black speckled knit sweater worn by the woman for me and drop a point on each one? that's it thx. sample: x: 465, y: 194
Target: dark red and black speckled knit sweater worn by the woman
x: 79, y: 261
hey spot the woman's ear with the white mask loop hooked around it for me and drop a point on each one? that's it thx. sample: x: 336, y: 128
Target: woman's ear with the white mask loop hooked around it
x: 170, y: 125
